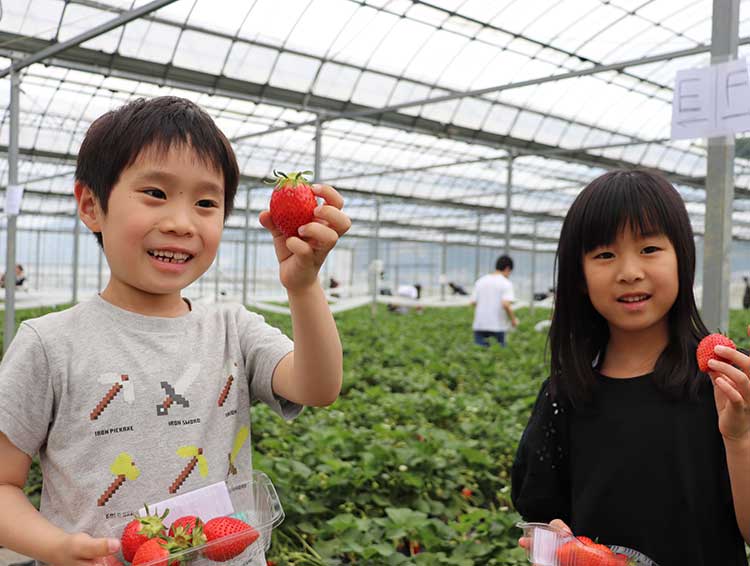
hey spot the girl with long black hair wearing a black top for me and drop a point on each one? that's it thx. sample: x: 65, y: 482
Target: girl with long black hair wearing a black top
x: 628, y: 442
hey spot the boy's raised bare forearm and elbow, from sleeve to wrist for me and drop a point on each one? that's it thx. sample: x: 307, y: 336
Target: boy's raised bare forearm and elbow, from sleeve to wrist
x: 312, y: 374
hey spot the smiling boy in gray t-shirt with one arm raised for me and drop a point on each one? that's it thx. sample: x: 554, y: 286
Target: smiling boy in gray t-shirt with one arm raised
x: 109, y: 390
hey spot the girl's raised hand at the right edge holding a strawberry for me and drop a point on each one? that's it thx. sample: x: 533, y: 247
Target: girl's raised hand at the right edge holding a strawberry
x: 732, y: 392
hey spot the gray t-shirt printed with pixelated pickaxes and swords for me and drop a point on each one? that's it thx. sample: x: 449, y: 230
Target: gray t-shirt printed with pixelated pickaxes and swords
x: 107, y: 397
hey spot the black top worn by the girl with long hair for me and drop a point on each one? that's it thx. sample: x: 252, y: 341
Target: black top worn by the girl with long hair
x: 635, y: 469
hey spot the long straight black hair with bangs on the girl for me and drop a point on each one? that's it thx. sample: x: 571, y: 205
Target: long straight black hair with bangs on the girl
x: 647, y: 202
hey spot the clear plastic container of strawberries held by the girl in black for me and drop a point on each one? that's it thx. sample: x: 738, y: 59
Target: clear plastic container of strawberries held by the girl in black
x: 550, y: 546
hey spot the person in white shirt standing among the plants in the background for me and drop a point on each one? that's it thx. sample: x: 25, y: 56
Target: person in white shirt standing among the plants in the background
x: 493, y: 299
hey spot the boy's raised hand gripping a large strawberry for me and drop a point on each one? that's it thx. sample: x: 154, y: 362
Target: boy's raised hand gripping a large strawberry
x: 300, y: 258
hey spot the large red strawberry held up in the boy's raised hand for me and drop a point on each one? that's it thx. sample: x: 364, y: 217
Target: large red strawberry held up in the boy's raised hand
x: 292, y: 202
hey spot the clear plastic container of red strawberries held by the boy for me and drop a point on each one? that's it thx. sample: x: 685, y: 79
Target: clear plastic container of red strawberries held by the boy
x: 240, y: 537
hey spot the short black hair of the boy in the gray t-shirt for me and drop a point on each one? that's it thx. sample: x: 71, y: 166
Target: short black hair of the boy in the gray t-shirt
x: 114, y: 141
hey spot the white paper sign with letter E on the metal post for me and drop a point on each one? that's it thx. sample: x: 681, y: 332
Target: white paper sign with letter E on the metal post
x: 711, y: 101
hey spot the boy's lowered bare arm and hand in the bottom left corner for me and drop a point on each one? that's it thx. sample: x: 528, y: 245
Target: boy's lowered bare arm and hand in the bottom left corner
x: 23, y: 529
